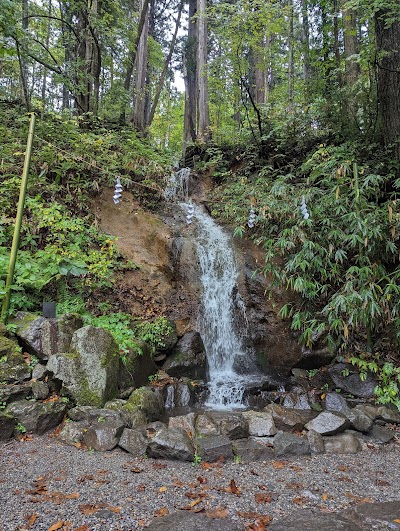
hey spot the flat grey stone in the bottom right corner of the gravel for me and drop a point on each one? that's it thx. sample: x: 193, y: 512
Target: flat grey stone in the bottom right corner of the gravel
x: 383, y: 515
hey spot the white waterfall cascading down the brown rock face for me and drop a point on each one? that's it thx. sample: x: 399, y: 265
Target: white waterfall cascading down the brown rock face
x: 223, y: 342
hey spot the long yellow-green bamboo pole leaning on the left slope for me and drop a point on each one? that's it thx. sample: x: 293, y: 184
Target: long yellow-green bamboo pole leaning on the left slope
x: 18, y: 220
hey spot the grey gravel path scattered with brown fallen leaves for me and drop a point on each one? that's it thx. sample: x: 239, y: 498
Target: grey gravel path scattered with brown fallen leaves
x: 43, y: 482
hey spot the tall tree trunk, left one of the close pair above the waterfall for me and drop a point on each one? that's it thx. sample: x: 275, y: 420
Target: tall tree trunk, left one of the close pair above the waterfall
x: 190, y: 75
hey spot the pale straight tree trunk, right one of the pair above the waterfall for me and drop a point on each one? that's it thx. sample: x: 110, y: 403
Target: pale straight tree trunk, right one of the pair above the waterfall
x: 203, y: 117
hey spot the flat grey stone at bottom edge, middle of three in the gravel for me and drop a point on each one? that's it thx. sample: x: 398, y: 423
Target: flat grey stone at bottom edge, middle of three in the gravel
x: 314, y: 521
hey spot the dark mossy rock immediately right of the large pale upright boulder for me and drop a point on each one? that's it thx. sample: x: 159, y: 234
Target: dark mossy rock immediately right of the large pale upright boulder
x: 135, y: 368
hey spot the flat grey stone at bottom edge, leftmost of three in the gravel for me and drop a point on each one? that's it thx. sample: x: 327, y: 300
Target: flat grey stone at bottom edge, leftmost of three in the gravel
x: 190, y: 521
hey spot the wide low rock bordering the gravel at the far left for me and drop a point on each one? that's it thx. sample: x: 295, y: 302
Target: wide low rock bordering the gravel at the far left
x: 38, y: 417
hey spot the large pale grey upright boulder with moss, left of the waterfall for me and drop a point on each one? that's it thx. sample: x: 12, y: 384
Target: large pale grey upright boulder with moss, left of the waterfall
x: 89, y: 374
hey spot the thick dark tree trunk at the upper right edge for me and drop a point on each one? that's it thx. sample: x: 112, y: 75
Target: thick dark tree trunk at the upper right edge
x: 388, y: 64
